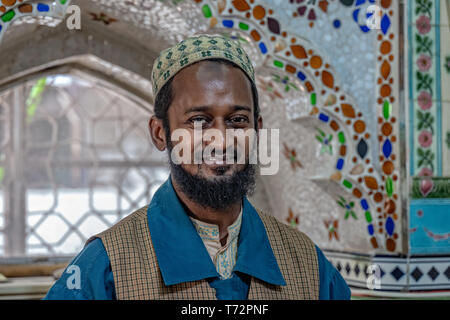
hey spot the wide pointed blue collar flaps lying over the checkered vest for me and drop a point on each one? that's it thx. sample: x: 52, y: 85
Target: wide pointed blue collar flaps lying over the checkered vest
x: 181, y: 254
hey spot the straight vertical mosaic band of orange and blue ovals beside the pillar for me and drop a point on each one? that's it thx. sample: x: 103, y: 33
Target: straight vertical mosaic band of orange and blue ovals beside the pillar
x: 387, y: 129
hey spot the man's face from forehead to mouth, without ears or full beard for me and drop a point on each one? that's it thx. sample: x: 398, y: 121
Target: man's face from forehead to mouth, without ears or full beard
x: 217, y: 96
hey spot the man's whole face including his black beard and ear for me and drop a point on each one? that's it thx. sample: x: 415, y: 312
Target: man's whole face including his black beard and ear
x: 215, y: 97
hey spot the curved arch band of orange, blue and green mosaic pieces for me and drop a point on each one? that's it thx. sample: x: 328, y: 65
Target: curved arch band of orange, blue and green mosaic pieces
x: 298, y: 58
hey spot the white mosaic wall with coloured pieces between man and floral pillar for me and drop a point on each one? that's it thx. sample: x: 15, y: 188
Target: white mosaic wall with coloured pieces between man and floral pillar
x: 354, y: 171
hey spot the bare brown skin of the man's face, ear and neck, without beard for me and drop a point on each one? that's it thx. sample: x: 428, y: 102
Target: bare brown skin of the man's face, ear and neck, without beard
x: 217, y: 96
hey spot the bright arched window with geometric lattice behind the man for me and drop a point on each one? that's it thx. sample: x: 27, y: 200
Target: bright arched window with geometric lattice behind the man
x: 75, y: 157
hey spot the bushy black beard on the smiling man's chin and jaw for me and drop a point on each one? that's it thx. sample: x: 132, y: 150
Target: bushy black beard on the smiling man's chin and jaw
x: 215, y: 193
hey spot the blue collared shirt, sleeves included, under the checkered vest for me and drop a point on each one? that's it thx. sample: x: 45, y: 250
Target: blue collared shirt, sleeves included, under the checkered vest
x: 182, y: 257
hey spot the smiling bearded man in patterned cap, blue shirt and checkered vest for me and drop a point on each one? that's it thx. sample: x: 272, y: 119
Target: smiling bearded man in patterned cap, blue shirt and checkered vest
x: 200, y: 238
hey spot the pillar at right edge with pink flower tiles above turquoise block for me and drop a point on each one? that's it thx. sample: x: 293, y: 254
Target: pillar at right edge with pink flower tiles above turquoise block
x: 429, y: 127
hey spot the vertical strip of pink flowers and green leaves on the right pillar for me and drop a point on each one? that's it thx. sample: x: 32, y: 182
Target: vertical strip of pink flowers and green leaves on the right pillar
x: 425, y: 89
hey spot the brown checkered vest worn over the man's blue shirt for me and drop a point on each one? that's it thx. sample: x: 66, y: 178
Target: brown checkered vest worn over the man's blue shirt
x: 137, y: 275
